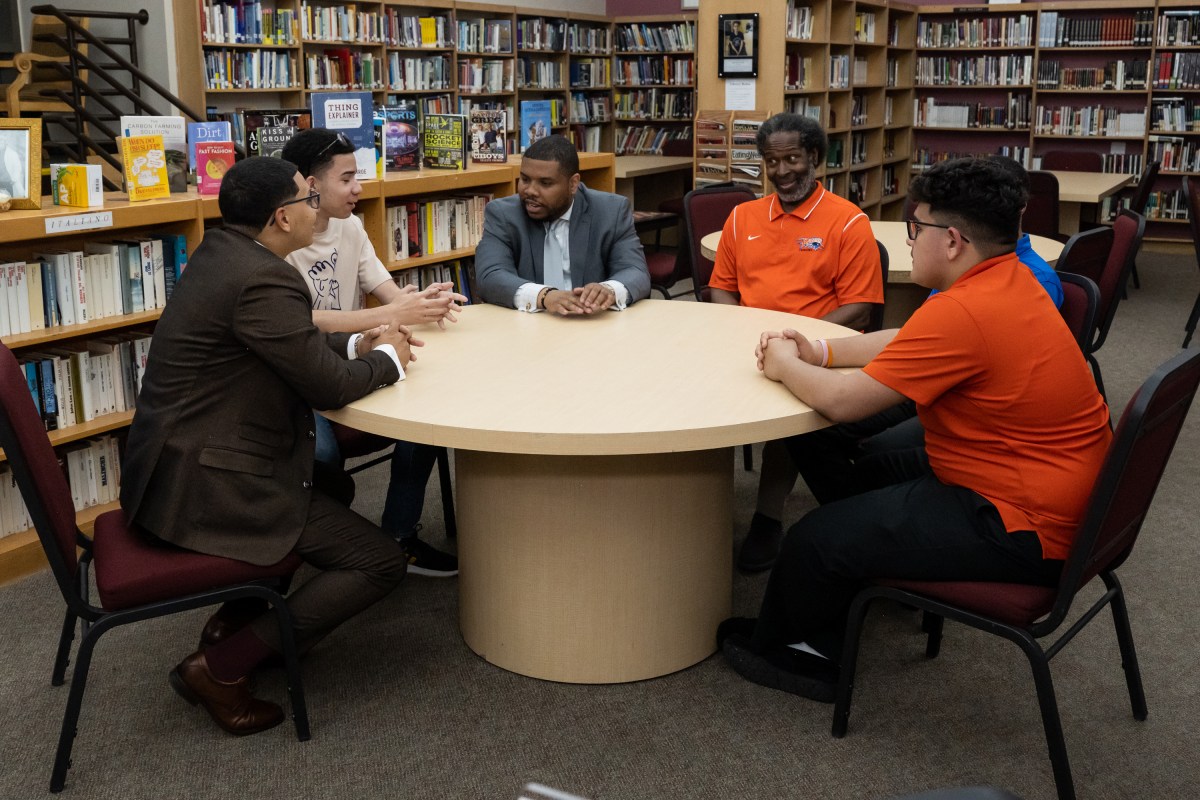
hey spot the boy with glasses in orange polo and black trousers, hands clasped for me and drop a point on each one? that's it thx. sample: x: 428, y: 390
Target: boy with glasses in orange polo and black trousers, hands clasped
x: 1016, y: 434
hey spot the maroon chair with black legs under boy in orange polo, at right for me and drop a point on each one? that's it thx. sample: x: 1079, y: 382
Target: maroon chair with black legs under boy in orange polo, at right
x: 1023, y: 615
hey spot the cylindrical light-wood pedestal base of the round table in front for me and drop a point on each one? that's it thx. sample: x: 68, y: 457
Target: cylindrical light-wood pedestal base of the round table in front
x: 595, y: 569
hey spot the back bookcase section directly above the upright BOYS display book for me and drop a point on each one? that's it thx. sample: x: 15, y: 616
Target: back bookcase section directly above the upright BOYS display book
x: 487, y: 61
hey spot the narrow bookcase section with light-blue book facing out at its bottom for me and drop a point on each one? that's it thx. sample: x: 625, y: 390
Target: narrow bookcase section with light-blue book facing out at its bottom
x: 543, y: 79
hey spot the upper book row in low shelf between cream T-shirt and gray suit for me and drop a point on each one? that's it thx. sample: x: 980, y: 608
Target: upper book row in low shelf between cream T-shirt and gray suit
x: 439, y: 226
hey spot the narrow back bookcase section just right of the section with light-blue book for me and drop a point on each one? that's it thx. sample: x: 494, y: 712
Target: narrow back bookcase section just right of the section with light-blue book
x: 590, y: 77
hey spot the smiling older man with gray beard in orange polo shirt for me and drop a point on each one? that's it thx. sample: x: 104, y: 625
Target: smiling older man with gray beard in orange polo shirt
x: 802, y: 250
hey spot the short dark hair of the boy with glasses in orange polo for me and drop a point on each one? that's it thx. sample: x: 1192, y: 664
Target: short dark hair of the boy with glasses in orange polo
x: 981, y: 196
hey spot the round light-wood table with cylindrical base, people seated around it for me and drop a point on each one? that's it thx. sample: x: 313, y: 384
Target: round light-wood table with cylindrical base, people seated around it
x: 595, y: 476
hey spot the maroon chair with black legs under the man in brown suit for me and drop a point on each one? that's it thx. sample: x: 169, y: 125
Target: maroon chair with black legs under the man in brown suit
x: 136, y: 579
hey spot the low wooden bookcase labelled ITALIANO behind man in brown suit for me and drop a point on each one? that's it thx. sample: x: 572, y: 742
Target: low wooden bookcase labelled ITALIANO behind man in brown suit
x: 25, y: 238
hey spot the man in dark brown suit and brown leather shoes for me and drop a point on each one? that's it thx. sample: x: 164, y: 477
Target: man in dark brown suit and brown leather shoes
x: 220, y: 456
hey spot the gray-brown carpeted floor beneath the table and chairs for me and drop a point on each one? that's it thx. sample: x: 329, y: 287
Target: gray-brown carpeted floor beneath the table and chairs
x: 403, y: 709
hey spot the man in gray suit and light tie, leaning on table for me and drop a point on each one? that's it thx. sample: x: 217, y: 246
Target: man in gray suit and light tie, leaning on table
x: 559, y: 246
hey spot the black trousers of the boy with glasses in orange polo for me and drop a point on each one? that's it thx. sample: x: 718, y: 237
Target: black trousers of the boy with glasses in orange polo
x: 884, y: 515
